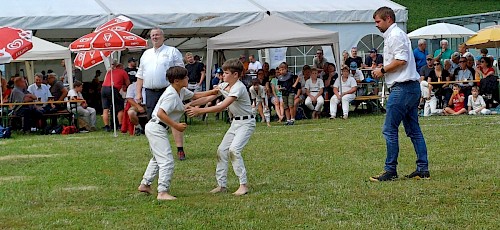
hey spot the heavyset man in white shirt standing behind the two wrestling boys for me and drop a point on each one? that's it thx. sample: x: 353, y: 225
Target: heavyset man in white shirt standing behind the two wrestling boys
x: 153, y: 67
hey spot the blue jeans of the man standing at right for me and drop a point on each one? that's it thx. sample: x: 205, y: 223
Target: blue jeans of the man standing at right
x: 402, y: 105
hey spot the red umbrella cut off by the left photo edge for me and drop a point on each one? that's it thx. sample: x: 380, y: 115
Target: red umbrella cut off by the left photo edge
x: 13, y: 43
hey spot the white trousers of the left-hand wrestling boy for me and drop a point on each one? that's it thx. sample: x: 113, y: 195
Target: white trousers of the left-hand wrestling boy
x: 162, y: 161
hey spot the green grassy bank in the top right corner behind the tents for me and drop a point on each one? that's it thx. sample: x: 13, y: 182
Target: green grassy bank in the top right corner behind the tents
x: 420, y: 11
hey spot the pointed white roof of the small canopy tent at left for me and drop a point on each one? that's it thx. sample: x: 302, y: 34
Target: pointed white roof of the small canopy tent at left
x: 45, y: 50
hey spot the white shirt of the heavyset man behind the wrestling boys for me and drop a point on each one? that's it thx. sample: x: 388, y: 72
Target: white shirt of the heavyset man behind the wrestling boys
x: 154, y: 65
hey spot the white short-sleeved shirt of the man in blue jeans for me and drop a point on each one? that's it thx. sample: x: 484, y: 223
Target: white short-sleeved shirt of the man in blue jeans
x: 397, y: 46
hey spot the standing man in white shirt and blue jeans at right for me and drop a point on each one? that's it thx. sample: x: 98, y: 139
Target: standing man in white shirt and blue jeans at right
x: 402, y: 78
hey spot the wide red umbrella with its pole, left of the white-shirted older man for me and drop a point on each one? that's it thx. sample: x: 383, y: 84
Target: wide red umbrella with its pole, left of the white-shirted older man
x: 108, y: 40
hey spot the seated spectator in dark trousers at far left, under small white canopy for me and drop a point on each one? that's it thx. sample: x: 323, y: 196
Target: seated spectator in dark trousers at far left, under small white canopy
x: 30, y: 113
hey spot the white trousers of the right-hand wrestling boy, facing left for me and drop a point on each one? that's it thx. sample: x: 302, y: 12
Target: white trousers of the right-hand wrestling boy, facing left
x: 230, y: 148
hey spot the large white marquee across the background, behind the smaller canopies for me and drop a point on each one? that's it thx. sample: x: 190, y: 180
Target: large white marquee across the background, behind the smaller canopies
x: 65, y: 21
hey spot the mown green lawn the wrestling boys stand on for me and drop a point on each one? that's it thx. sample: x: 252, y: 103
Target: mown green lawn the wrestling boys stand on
x: 313, y: 175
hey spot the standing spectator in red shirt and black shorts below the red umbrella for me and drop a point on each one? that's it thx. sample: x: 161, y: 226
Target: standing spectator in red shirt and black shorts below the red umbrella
x: 120, y: 82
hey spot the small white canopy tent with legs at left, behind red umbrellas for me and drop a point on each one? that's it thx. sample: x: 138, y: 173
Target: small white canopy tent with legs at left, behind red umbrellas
x: 45, y: 50
